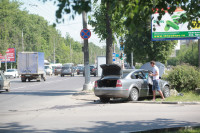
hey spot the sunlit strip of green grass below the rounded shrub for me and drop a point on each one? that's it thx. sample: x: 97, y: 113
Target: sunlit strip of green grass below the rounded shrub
x: 187, y: 97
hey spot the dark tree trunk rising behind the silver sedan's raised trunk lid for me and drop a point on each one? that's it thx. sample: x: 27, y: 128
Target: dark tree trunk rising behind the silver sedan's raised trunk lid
x: 109, y: 41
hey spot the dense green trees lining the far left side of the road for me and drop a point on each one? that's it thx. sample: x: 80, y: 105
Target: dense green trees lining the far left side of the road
x: 38, y: 35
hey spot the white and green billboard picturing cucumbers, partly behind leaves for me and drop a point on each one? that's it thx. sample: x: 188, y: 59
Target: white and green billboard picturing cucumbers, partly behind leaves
x: 170, y: 27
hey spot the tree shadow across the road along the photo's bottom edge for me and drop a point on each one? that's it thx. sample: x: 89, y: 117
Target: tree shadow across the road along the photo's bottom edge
x: 102, y: 126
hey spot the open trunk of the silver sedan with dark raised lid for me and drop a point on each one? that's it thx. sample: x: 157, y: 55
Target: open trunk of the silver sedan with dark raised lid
x: 110, y: 74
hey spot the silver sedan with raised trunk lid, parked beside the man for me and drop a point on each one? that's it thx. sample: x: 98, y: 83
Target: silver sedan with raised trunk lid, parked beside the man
x: 130, y: 83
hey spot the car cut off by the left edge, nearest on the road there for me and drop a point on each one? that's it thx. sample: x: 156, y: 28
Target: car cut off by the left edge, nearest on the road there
x: 4, y: 83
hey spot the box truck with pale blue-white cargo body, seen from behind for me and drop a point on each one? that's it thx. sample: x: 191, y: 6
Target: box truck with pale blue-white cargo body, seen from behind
x: 31, y: 66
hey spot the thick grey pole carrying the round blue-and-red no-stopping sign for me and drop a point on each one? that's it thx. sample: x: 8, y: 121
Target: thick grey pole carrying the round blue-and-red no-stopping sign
x: 86, y: 86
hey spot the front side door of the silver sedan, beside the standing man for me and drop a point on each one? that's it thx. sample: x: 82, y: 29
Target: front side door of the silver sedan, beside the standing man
x: 141, y: 82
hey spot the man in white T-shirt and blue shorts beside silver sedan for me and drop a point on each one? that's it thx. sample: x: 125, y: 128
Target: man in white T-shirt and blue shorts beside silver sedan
x: 155, y: 75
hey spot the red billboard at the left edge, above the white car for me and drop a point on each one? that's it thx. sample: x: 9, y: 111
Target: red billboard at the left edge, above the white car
x: 10, y: 54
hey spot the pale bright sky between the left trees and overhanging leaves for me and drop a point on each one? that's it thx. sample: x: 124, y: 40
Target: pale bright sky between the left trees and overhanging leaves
x: 73, y: 27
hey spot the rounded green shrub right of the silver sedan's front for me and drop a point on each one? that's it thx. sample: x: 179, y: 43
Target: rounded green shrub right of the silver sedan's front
x: 184, y: 78
